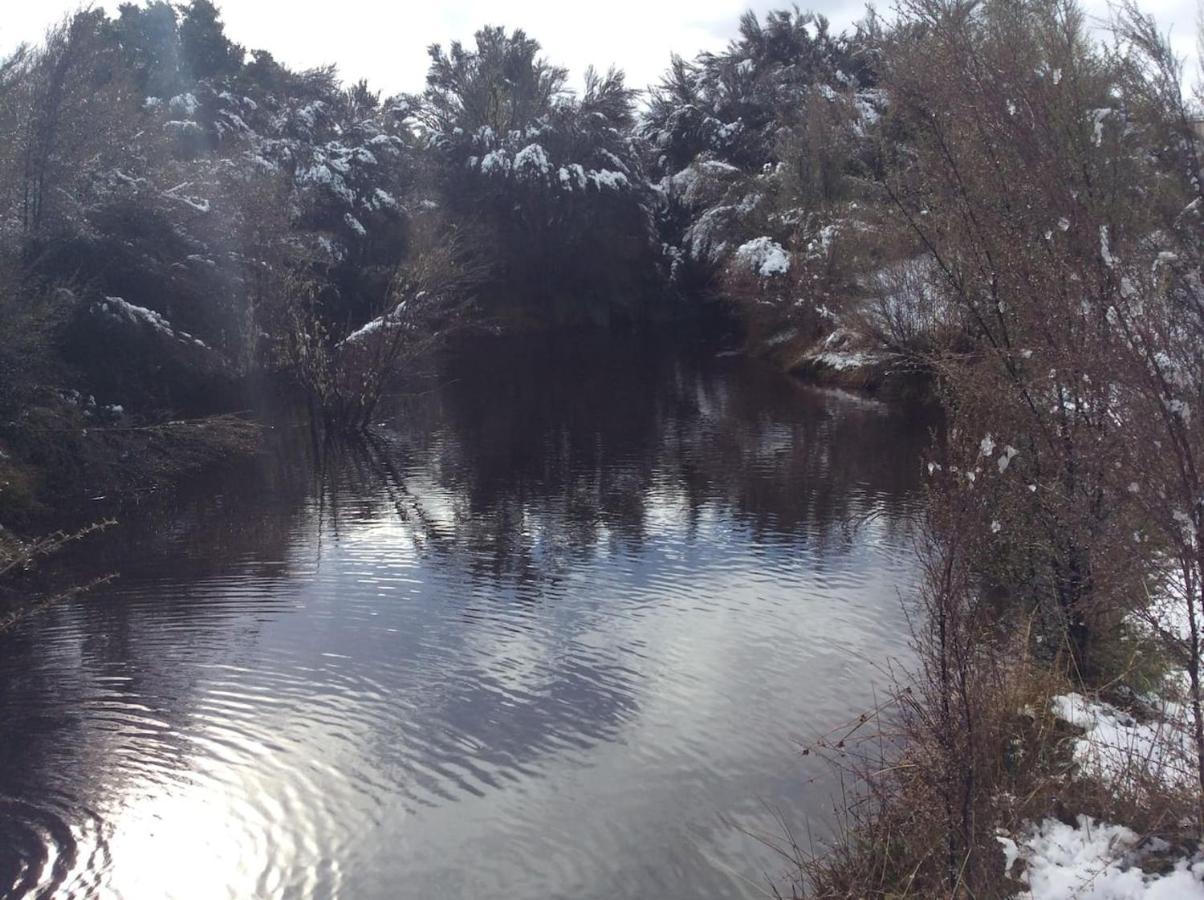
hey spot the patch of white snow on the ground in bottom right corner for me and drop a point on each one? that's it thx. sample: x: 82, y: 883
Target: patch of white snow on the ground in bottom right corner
x: 1094, y: 861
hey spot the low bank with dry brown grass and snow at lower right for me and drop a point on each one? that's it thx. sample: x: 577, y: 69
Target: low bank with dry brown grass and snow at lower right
x: 1049, y: 790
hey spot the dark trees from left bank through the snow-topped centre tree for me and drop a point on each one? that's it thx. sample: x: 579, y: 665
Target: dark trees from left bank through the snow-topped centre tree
x: 167, y: 193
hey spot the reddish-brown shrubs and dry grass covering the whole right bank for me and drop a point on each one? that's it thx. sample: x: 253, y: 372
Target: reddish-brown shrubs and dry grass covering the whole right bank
x: 1054, y: 187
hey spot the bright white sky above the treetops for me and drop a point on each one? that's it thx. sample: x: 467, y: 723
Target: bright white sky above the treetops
x: 386, y: 42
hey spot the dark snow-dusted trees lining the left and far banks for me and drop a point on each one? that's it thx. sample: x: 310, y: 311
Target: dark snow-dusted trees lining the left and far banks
x: 182, y: 220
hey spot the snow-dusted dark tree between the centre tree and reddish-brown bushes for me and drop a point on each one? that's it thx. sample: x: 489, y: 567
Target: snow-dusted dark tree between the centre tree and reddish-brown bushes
x: 774, y: 144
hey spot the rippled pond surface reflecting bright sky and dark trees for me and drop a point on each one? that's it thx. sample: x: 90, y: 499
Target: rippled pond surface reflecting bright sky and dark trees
x: 473, y: 658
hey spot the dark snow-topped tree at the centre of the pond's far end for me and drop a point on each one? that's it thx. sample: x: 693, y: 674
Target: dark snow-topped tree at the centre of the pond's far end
x: 557, y: 179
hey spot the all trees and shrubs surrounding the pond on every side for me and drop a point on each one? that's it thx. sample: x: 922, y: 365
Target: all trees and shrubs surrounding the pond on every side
x: 988, y: 198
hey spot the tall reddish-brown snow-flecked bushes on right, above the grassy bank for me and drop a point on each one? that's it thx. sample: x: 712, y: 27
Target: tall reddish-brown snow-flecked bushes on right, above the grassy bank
x: 1057, y: 188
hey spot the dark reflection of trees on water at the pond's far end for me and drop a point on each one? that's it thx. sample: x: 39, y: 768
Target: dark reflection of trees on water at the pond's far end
x: 550, y: 453
